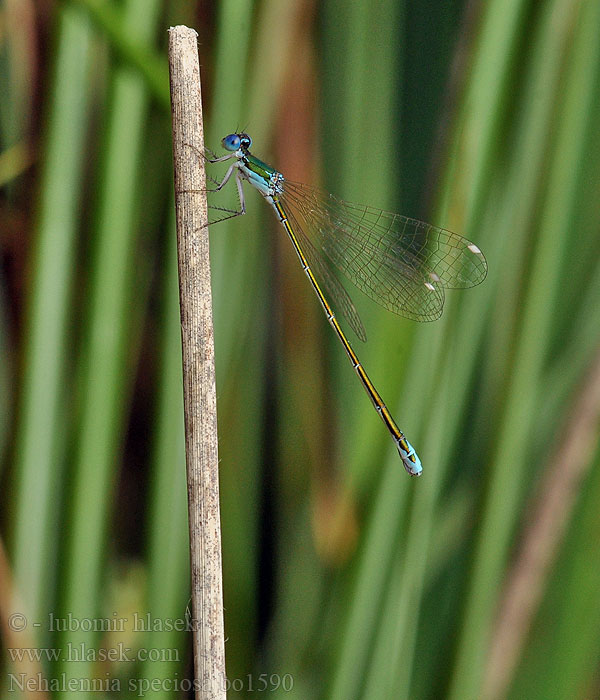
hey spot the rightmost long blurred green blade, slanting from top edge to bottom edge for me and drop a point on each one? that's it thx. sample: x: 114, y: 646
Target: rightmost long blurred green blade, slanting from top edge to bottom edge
x: 510, y: 464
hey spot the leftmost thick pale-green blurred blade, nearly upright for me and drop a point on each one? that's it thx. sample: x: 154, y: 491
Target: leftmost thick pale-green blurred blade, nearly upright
x: 42, y: 431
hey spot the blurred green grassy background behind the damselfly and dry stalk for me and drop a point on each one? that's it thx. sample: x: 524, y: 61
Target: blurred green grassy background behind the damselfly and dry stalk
x: 343, y: 578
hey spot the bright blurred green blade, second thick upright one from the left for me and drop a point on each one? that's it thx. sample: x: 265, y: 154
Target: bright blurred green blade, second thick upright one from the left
x: 111, y: 321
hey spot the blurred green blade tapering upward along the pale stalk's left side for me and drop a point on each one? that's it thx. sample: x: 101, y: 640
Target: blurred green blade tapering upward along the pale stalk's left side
x: 168, y: 553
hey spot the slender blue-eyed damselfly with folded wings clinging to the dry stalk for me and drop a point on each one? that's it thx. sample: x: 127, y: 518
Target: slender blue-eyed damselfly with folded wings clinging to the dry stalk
x: 401, y: 263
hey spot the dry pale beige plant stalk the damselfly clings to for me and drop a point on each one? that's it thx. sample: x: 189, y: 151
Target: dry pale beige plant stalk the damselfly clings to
x: 199, y: 391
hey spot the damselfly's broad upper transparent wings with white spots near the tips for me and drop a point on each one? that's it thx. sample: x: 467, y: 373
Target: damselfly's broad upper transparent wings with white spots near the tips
x: 401, y: 263
